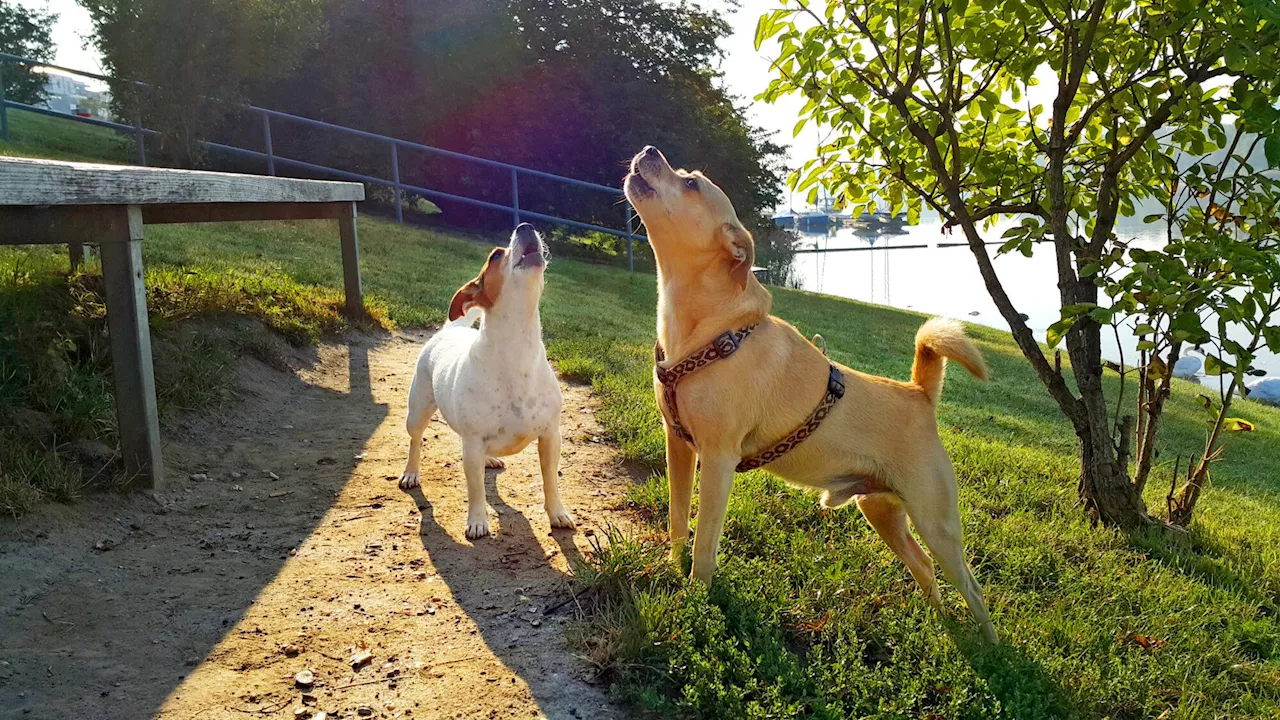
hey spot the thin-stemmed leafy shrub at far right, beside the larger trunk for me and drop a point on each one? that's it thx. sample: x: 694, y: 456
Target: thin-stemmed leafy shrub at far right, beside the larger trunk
x: 1217, y: 285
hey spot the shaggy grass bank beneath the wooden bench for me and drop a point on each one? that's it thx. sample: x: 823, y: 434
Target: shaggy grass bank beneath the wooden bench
x: 56, y: 372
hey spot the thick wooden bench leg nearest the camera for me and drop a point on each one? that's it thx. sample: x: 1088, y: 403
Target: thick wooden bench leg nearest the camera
x: 131, y: 348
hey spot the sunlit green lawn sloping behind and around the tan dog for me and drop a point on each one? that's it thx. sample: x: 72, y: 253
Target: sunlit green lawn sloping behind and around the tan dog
x: 811, y: 616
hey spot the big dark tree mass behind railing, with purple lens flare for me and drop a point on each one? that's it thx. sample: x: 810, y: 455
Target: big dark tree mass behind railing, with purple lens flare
x: 564, y: 86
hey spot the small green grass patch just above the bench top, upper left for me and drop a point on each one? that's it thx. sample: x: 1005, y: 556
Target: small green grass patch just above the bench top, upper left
x: 33, y: 135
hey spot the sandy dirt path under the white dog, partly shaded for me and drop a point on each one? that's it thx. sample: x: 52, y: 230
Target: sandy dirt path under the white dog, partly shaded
x: 284, y: 545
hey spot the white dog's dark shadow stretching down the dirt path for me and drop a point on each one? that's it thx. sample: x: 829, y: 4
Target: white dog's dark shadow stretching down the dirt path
x: 509, y: 586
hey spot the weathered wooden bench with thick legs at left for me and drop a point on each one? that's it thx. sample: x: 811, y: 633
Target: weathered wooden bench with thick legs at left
x: 45, y: 202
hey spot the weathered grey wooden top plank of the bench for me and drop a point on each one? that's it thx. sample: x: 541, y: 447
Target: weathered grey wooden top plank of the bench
x: 49, y: 183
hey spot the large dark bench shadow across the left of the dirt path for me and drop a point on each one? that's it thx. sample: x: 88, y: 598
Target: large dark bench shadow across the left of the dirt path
x: 121, y: 598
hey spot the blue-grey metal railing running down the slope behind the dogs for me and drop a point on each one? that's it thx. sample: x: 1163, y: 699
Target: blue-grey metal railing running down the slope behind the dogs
x: 392, y: 144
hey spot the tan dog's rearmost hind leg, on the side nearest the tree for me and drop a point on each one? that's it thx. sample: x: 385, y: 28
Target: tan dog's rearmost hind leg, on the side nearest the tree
x: 932, y: 503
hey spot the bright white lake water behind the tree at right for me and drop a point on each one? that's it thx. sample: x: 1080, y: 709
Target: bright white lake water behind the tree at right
x: 926, y: 270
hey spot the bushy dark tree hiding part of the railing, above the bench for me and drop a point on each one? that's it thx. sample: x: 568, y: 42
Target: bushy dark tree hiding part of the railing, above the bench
x: 200, y: 57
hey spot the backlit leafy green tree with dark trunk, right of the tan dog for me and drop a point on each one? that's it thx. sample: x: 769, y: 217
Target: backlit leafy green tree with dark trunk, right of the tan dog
x: 934, y: 104
